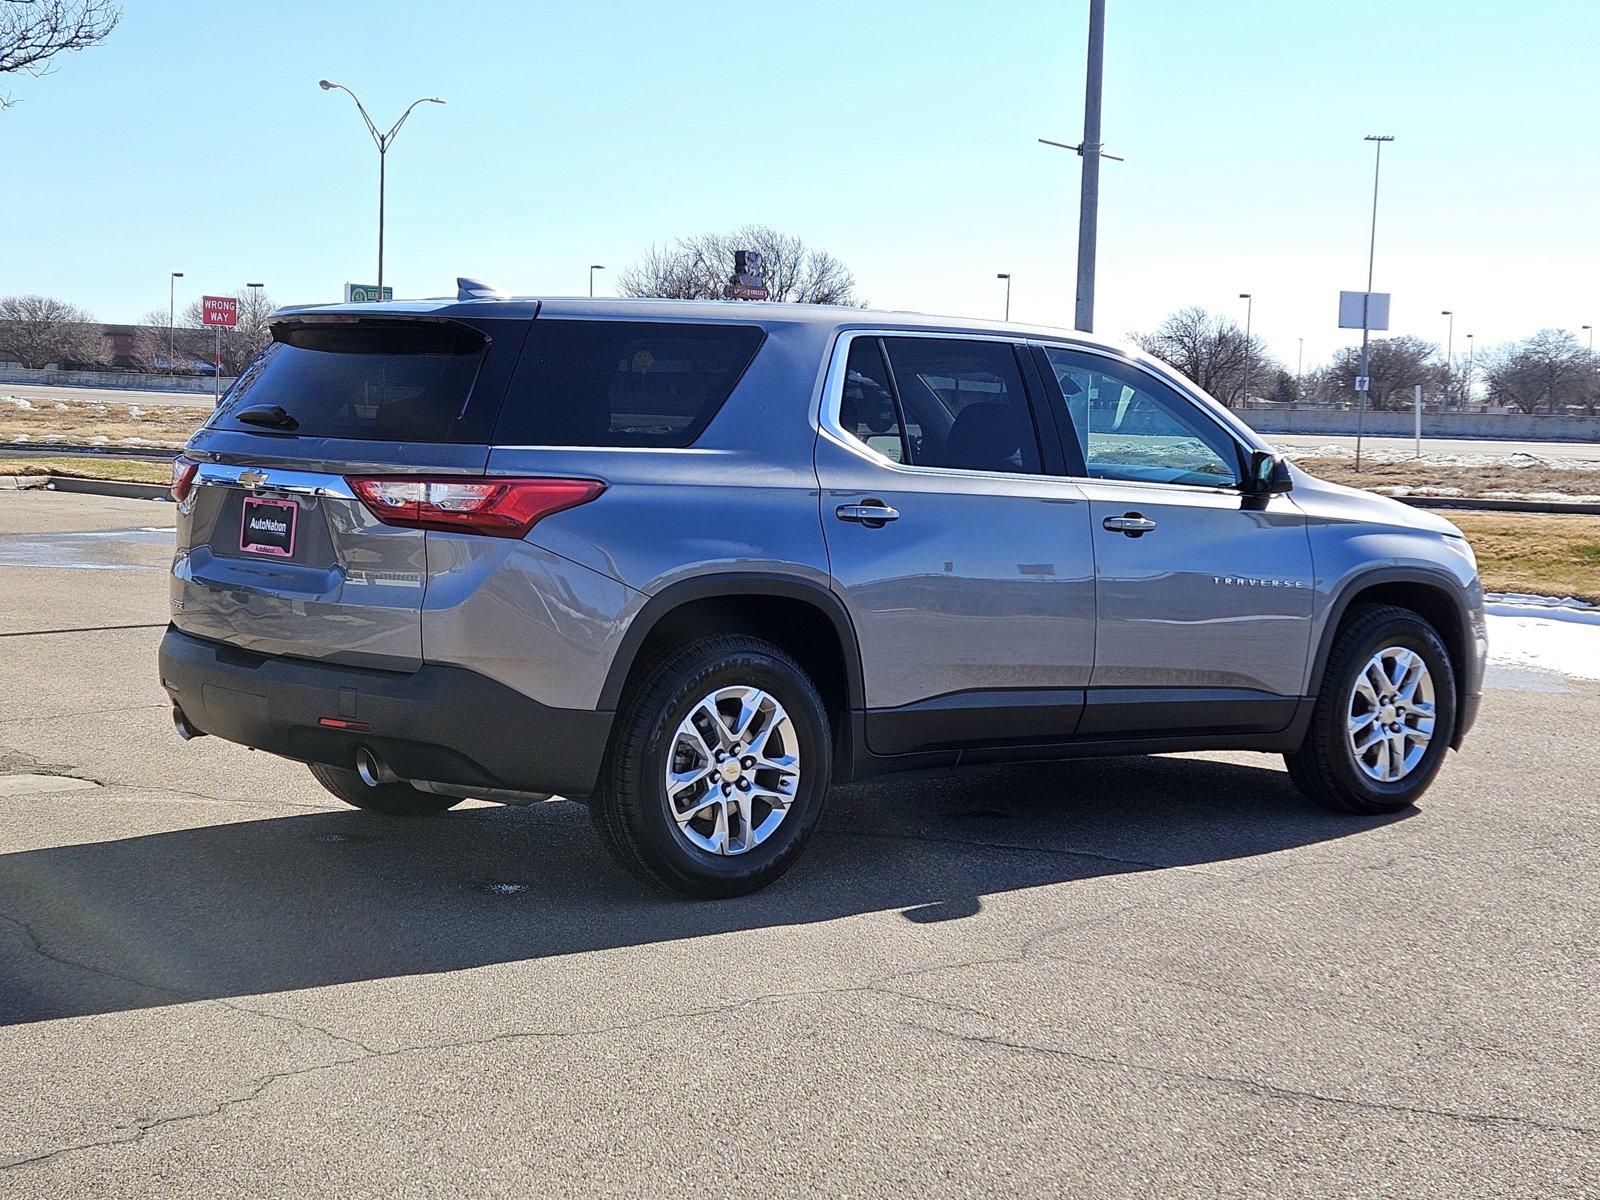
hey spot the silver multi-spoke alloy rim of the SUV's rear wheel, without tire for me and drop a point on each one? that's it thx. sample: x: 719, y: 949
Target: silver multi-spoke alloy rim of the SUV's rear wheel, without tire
x: 734, y: 770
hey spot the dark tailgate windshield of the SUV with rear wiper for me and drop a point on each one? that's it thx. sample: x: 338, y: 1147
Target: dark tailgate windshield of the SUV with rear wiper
x: 374, y: 380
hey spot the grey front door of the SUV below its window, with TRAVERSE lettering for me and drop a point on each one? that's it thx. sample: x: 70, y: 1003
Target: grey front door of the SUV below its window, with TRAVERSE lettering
x: 1215, y: 596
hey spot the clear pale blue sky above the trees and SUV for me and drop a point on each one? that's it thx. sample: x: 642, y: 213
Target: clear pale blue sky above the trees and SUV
x: 897, y: 135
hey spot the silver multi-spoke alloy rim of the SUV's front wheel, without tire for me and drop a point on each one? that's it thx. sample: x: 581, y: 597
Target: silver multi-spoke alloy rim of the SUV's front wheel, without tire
x: 1391, y: 714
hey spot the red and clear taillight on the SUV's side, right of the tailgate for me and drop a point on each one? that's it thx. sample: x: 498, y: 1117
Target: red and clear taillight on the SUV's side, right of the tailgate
x: 498, y: 508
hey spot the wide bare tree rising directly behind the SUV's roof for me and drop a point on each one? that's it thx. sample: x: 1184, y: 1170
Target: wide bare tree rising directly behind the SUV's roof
x: 698, y: 268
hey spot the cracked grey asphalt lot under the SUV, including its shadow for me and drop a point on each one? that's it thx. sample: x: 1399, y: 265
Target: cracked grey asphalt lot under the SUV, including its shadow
x: 1161, y: 977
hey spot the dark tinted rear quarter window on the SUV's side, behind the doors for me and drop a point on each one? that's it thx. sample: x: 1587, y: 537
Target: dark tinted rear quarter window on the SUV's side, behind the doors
x: 623, y: 383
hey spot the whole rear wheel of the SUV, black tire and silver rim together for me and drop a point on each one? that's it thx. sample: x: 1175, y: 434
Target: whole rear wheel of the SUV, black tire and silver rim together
x: 718, y: 770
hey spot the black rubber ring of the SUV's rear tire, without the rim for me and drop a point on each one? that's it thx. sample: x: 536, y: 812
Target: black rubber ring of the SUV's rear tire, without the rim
x: 652, y: 817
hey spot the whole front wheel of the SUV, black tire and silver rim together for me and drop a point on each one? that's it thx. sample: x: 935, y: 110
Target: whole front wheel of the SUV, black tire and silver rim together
x: 1385, y: 716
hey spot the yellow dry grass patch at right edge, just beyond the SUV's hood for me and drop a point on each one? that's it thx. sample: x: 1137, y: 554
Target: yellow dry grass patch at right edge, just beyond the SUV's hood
x: 1540, y: 554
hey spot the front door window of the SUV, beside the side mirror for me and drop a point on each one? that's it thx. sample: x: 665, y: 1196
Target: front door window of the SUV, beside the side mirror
x: 1132, y: 428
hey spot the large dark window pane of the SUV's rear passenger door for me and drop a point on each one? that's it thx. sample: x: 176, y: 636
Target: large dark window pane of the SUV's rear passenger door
x: 964, y: 406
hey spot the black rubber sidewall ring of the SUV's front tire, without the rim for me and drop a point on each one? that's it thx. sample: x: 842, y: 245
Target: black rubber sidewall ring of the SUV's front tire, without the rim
x: 1418, y: 638
